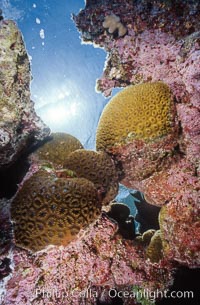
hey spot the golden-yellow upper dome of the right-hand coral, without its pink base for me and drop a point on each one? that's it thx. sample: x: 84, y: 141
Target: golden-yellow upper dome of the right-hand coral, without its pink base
x: 142, y: 111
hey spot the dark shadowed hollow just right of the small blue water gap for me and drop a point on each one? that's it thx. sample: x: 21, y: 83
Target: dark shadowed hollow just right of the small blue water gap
x: 147, y: 214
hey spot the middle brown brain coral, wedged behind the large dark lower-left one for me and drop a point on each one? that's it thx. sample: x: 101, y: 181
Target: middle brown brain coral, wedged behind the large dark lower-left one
x: 97, y: 167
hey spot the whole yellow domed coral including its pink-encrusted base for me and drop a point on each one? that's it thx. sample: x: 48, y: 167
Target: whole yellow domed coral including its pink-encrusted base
x: 138, y: 127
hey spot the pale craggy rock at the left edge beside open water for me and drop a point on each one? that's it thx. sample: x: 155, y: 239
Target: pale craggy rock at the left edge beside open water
x: 20, y: 127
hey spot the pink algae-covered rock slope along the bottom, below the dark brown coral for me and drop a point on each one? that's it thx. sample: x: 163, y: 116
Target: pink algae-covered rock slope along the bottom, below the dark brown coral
x: 98, y: 261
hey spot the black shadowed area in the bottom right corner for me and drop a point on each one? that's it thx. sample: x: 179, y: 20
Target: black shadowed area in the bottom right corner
x: 185, y: 280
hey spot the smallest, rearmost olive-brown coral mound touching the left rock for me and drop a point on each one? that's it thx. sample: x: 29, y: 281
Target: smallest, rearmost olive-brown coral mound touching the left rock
x: 57, y: 149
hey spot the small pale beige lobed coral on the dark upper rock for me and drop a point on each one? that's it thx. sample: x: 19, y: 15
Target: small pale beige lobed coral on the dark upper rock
x: 112, y: 23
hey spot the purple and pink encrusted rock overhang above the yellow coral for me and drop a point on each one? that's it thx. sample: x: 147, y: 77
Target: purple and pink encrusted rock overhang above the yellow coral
x: 162, y: 43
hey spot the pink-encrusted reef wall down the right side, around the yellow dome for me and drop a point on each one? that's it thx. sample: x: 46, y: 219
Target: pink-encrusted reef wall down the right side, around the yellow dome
x: 162, y: 44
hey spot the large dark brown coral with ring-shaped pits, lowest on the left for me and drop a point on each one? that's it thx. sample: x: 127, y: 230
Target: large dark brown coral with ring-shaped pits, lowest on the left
x: 50, y: 210
